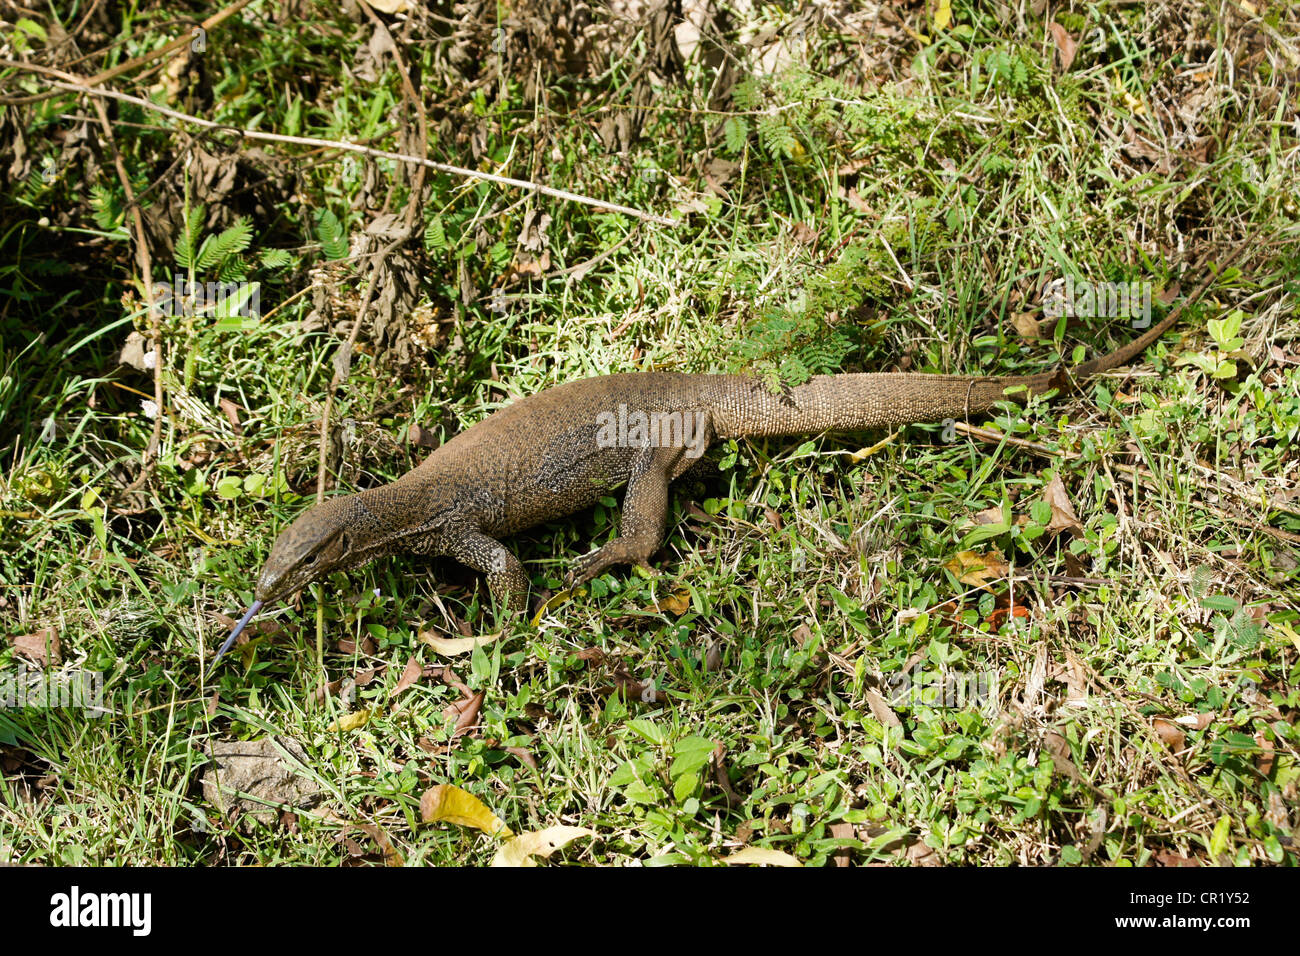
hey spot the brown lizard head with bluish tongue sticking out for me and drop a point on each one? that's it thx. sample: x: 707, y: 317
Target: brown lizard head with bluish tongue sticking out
x: 326, y: 539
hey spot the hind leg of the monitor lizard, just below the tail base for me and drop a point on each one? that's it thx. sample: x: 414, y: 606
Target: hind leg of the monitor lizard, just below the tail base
x: 645, y: 508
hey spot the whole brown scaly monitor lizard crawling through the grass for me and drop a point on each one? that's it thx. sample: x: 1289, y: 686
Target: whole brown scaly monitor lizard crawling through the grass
x: 540, y: 460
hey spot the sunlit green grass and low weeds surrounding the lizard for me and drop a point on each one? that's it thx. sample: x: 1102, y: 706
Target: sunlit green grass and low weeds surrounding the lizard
x: 814, y: 578
